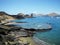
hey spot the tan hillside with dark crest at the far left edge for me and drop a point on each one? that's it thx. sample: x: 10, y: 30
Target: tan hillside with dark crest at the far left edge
x: 4, y: 17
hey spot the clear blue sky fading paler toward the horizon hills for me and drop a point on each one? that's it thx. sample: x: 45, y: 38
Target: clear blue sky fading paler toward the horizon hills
x: 30, y: 6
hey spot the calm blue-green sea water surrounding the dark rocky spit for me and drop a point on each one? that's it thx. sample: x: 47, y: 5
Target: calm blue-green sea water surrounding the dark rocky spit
x: 52, y: 36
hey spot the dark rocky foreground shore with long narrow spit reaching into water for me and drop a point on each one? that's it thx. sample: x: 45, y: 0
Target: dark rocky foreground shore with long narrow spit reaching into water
x: 14, y: 33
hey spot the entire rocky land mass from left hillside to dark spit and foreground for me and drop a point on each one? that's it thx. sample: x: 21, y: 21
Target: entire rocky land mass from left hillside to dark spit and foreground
x: 11, y: 34
